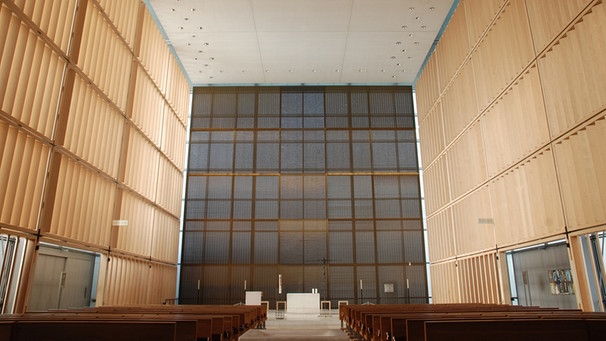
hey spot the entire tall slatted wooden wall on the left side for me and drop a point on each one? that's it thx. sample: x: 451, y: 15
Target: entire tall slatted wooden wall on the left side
x: 92, y: 129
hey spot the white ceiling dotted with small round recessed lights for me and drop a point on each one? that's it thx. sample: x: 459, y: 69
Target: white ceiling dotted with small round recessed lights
x: 301, y: 41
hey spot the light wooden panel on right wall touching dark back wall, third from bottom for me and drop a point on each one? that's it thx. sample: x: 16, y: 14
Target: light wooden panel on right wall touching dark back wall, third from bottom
x: 437, y: 187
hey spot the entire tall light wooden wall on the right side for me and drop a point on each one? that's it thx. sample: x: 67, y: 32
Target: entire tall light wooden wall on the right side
x: 512, y: 139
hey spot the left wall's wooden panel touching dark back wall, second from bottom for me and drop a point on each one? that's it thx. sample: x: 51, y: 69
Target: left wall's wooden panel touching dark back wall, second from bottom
x: 165, y: 238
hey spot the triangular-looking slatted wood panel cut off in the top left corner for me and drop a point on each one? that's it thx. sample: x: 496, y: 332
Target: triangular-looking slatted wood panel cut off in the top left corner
x: 53, y: 17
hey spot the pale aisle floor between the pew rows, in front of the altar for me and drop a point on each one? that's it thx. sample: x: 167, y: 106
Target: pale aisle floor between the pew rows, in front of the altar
x: 298, y: 327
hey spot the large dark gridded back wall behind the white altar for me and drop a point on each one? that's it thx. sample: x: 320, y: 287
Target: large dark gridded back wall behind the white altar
x: 317, y: 184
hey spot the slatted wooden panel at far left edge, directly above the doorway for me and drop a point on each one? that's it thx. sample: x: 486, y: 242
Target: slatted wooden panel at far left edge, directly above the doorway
x: 23, y: 163
